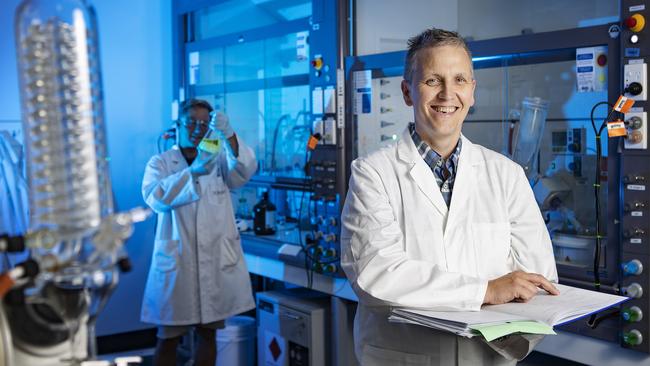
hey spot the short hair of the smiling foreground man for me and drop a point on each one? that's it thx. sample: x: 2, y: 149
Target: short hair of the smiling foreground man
x: 431, y: 38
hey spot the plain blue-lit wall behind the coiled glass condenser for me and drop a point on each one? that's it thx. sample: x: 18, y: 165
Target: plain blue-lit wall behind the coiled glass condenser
x: 135, y: 41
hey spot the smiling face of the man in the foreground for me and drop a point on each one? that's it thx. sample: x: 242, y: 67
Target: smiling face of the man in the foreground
x: 441, y: 90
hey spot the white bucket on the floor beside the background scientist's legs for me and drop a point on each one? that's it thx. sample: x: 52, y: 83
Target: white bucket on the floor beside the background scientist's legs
x: 236, y: 342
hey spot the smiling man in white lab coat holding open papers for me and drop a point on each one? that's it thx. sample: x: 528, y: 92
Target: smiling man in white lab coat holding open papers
x: 437, y: 222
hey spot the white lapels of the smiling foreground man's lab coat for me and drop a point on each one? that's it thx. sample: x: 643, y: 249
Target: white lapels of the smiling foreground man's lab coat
x: 426, y: 181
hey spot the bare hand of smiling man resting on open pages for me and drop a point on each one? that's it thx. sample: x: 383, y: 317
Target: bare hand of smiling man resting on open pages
x: 517, y: 286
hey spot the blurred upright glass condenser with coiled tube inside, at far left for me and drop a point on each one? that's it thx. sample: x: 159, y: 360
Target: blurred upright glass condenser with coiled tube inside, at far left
x: 63, y: 120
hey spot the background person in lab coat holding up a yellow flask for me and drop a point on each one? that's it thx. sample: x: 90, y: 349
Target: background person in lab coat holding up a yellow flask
x: 198, y: 276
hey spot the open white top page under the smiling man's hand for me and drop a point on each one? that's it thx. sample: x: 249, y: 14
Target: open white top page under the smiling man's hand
x: 572, y: 303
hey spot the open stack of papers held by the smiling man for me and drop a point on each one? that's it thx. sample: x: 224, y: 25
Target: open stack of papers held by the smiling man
x: 537, y: 316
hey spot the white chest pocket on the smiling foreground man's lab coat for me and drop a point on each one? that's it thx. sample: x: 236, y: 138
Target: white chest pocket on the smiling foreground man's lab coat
x: 492, y: 244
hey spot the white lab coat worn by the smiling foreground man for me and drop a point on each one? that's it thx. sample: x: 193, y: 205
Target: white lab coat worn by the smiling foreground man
x: 401, y: 246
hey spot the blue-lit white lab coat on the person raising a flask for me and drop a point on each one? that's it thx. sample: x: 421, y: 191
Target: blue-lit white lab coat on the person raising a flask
x: 198, y: 274
